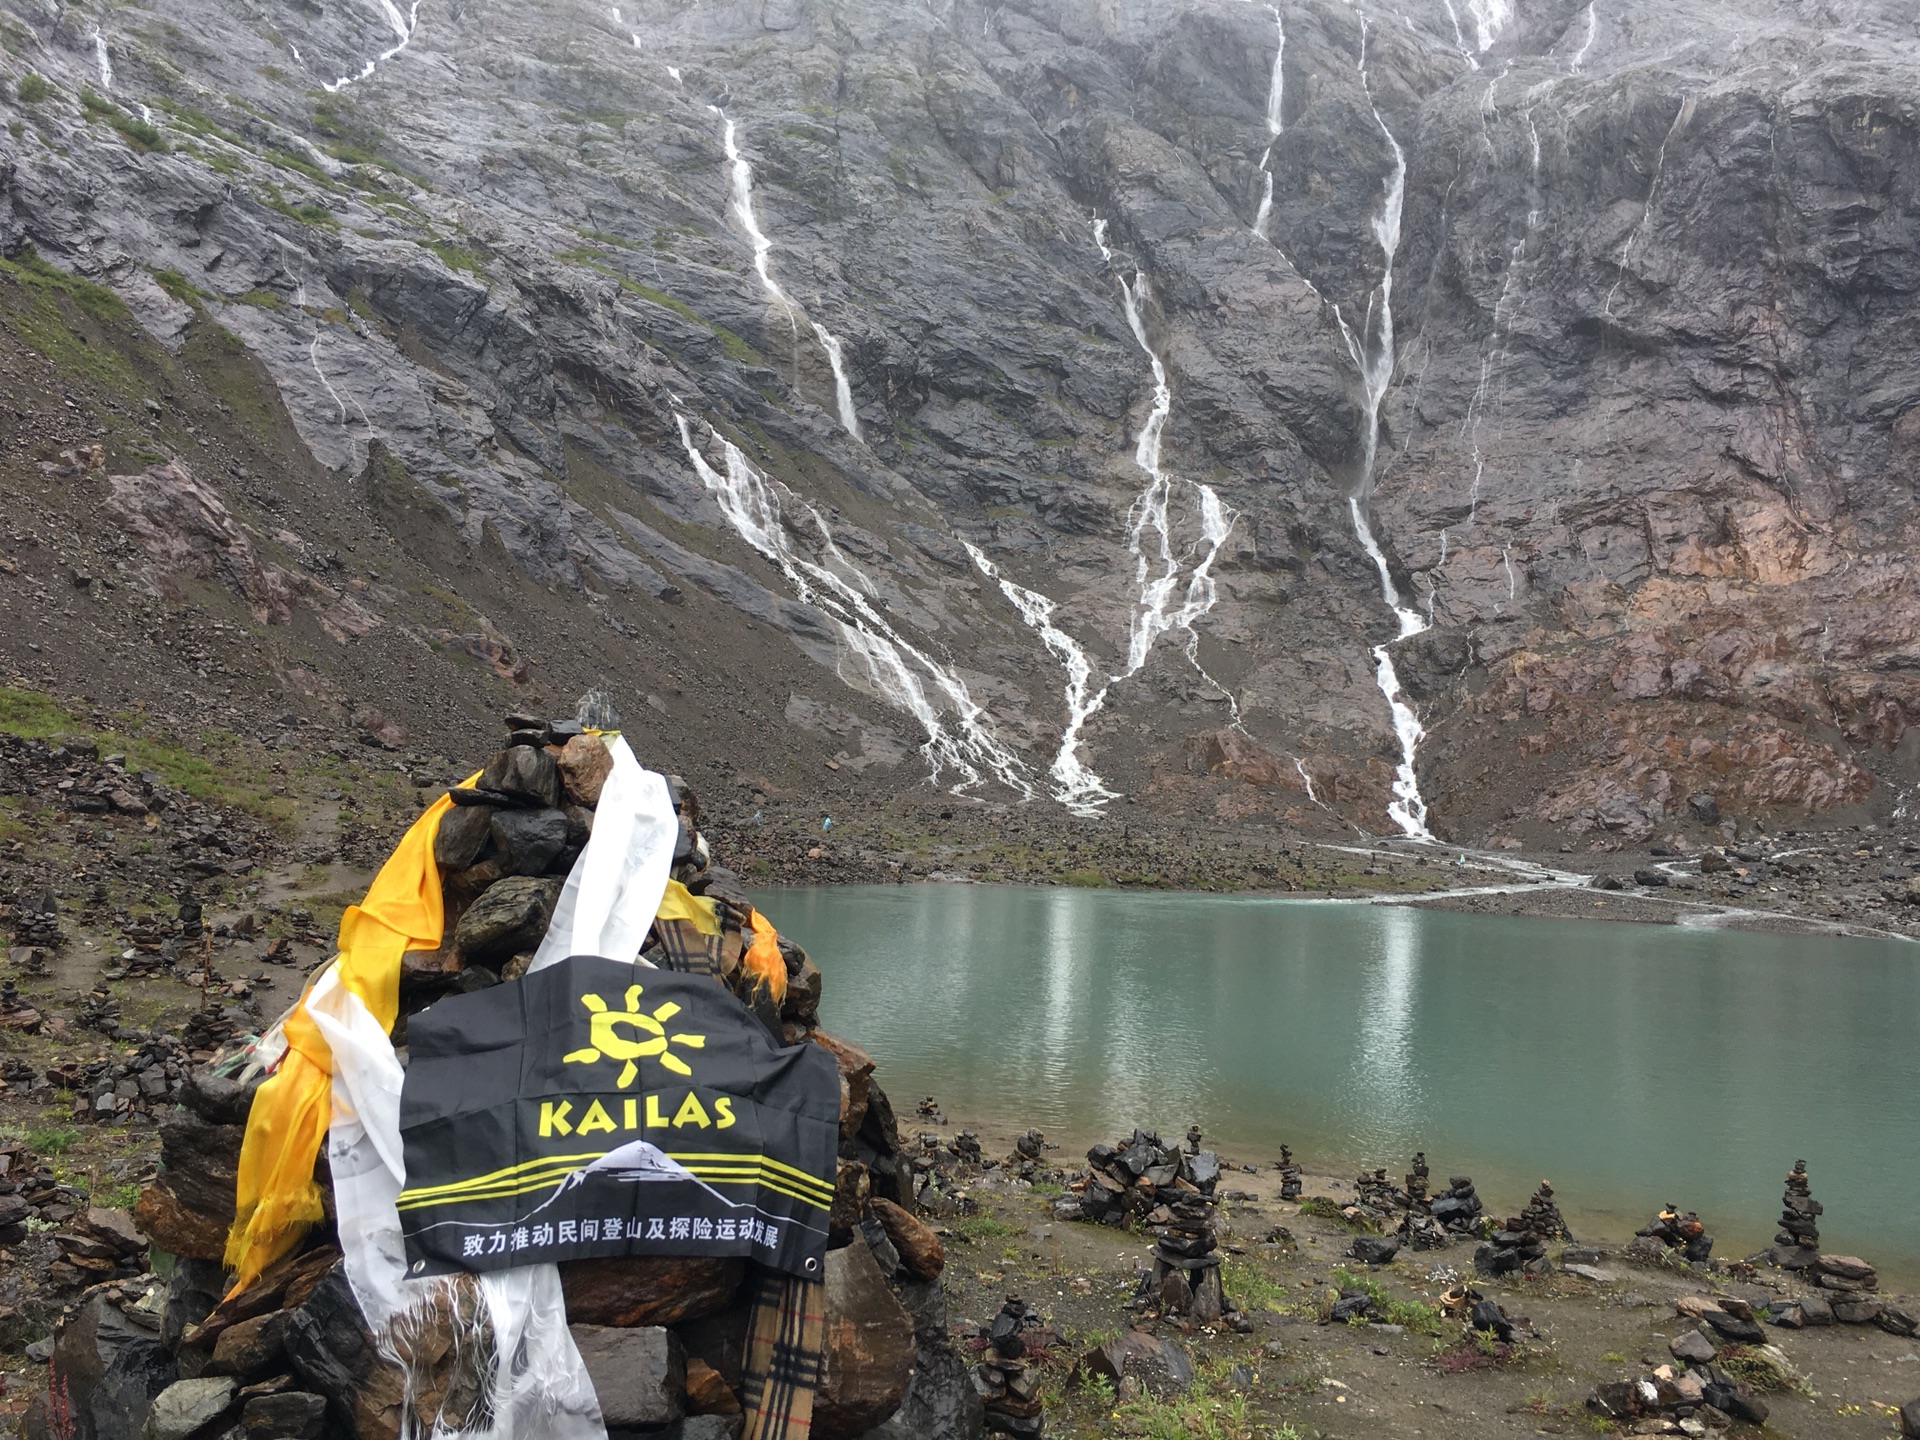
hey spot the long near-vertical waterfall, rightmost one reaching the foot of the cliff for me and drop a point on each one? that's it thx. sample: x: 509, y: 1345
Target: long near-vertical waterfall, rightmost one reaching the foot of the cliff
x: 1374, y: 358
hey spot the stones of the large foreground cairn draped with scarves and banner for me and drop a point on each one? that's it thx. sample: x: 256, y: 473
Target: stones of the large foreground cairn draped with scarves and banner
x: 663, y: 1337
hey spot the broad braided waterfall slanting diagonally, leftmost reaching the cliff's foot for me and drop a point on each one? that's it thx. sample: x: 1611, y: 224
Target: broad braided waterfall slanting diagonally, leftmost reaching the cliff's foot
x: 894, y: 669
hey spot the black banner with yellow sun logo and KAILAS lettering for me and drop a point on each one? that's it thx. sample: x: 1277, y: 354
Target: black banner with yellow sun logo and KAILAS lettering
x: 598, y: 1109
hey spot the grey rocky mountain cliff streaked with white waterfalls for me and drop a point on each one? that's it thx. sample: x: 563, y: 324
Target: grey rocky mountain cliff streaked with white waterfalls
x: 1493, y: 418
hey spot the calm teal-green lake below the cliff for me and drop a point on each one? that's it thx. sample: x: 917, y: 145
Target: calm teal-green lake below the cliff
x: 1633, y: 1065
